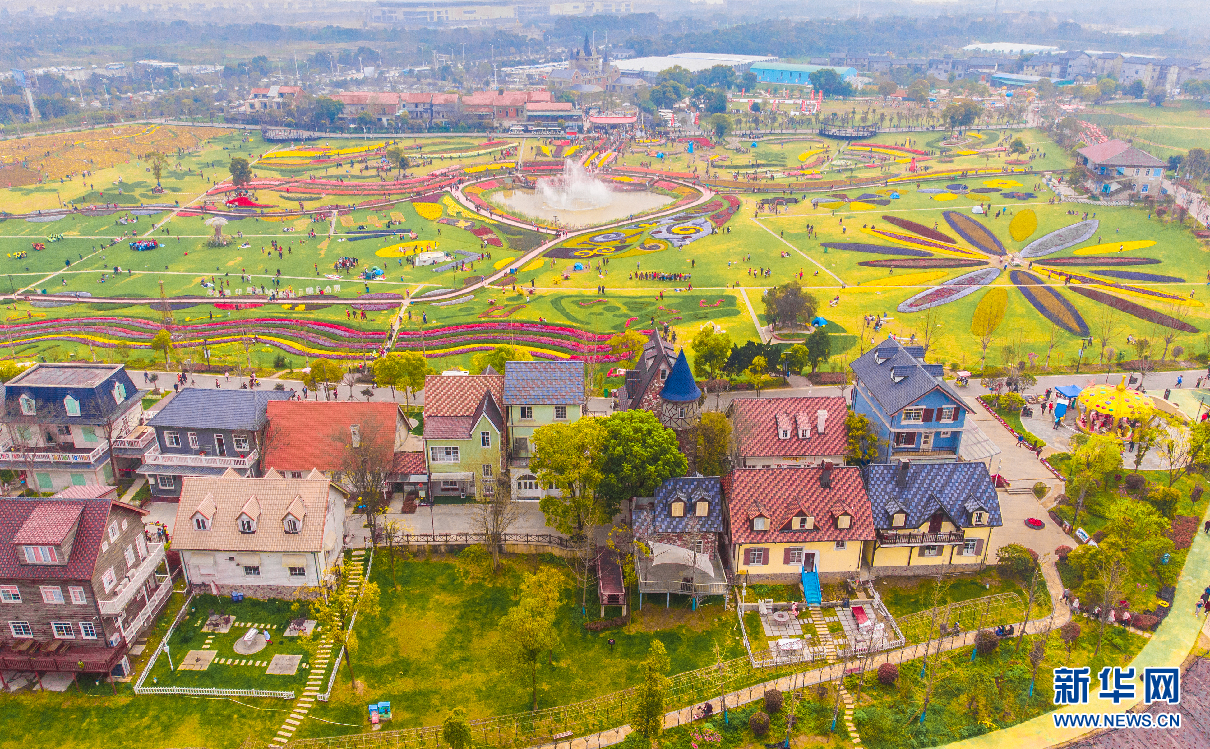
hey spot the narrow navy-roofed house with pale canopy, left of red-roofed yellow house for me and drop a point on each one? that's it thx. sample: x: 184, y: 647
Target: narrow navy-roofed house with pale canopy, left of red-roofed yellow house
x: 684, y: 533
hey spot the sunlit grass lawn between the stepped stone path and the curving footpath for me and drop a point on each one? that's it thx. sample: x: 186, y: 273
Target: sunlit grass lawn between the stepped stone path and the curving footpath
x: 457, y: 656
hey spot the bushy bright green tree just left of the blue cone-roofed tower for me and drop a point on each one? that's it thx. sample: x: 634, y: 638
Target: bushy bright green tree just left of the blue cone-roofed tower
x: 638, y: 454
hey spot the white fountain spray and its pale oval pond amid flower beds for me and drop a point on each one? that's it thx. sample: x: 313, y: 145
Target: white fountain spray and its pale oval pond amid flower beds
x: 577, y: 199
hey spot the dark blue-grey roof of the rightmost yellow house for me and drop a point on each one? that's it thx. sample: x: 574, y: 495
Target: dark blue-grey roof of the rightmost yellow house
x: 957, y: 489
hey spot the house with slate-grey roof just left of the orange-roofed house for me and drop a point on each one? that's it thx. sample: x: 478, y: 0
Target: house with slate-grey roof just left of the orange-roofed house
x: 206, y: 433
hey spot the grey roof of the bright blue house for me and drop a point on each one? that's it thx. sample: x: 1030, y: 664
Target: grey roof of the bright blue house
x: 896, y: 377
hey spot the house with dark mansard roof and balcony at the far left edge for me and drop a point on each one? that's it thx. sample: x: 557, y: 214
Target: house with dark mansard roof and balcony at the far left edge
x: 65, y: 423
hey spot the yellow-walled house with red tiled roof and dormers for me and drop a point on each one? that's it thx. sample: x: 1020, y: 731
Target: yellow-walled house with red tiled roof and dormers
x: 786, y: 522
